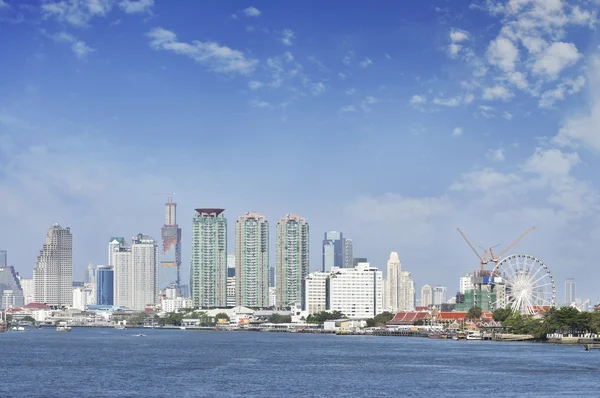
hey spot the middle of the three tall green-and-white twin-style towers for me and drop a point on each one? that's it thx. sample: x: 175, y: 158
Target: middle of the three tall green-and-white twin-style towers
x: 252, y: 260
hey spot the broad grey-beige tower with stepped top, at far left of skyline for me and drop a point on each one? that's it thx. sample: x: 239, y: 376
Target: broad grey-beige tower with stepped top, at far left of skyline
x: 53, y: 272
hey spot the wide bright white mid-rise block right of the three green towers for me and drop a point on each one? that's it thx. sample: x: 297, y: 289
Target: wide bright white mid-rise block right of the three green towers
x: 356, y: 292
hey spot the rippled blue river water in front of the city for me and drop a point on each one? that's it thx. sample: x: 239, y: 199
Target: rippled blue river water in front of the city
x: 184, y: 363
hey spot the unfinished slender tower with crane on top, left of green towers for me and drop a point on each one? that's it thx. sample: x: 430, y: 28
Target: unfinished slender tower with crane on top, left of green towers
x: 170, y: 261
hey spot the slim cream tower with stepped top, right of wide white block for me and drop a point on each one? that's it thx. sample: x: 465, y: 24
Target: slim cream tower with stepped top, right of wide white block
x: 400, y: 288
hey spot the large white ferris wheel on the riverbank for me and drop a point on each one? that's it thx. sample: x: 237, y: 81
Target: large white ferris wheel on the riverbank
x: 523, y: 283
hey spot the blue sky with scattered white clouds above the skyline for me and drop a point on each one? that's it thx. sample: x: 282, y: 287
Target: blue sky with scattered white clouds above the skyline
x: 393, y: 122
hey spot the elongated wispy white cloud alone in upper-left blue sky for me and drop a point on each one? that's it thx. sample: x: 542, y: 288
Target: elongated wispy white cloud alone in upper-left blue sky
x: 216, y: 58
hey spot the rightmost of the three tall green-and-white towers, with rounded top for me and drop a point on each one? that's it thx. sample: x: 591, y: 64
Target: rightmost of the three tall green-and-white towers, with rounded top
x: 292, y: 262
